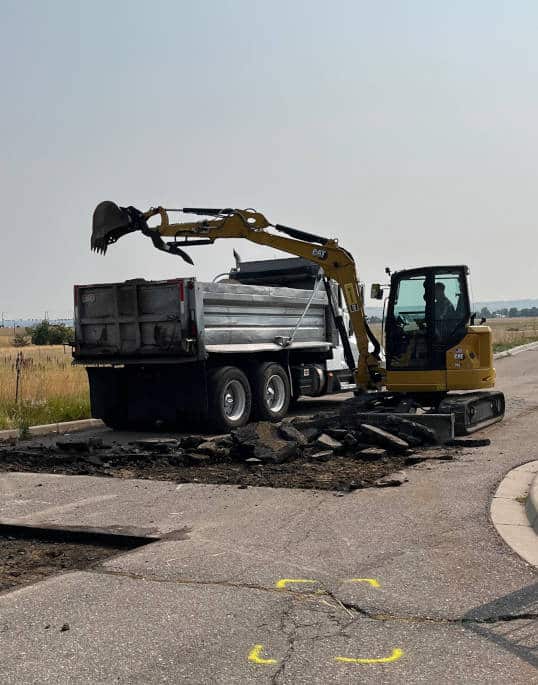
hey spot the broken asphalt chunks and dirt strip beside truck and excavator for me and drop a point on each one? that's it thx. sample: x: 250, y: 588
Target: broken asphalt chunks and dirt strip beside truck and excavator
x: 341, y: 449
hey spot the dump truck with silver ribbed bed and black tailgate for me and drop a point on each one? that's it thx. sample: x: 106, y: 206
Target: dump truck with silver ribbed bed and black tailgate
x: 218, y: 353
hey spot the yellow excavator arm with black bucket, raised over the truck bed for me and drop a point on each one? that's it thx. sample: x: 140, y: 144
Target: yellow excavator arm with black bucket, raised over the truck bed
x: 111, y: 222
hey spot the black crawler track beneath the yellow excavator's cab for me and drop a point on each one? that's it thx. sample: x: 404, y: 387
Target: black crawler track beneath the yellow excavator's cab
x: 473, y: 411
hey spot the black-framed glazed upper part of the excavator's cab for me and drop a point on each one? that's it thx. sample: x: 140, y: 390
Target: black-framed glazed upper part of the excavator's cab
x: 427, y: 315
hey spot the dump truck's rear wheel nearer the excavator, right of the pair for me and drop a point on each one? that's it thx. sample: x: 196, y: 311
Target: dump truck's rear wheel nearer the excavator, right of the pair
x: 271, y: 392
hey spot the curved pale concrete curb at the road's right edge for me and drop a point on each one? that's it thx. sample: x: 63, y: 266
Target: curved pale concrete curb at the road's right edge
x: 513, y: 511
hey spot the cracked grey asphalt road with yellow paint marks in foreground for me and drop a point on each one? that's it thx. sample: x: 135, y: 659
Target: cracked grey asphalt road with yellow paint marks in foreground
x: 265, y: 584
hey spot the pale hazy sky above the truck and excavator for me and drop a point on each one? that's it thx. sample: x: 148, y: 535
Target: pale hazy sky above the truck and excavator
x: 407, y: 129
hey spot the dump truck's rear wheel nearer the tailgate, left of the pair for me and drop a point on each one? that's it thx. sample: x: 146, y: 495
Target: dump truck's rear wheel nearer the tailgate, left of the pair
x: 229, y: 399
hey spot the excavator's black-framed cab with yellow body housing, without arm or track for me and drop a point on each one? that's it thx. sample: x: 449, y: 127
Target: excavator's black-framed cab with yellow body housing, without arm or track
x: 431, y: 343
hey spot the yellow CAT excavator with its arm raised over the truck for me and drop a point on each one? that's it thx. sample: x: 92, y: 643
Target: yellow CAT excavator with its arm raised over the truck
x: 432, y: 344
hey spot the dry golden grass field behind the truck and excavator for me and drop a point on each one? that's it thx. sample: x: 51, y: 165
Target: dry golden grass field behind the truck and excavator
x: 51, y: 389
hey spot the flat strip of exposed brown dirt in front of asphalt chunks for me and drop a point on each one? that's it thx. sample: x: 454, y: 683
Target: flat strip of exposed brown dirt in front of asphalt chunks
x: 332, y: 473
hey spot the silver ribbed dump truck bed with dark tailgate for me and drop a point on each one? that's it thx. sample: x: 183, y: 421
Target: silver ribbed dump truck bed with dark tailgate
x: 182, y: 319
